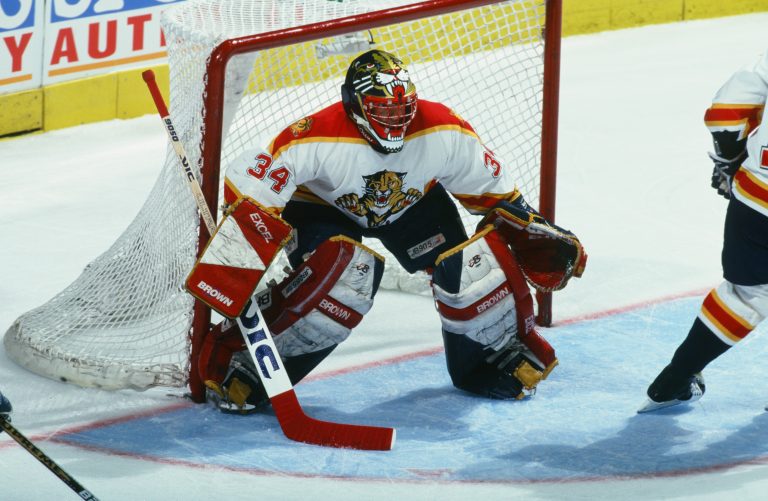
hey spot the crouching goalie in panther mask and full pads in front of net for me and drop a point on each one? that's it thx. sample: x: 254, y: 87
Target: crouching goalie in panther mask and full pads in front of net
x: 380, y: 163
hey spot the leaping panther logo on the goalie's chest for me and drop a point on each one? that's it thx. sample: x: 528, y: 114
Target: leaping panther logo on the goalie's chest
x: 383, y: 196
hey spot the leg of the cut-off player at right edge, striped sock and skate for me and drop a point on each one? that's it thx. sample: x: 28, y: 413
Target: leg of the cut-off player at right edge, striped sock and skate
x: 729, y: 312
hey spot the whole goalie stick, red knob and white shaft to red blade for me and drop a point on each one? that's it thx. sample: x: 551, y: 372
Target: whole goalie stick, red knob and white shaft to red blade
x: 296, y: 425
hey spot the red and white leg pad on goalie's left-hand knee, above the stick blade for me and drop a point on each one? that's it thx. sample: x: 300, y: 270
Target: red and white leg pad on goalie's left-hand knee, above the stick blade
x: 318, y: 304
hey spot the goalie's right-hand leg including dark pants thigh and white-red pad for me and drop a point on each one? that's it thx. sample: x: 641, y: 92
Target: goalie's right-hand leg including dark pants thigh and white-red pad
x: 486, y: 351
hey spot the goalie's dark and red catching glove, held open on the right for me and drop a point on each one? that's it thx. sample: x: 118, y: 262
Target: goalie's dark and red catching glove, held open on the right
x: 547, y: 254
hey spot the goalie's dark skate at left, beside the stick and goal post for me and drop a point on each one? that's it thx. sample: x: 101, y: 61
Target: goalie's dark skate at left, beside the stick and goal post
x: 241, y: 392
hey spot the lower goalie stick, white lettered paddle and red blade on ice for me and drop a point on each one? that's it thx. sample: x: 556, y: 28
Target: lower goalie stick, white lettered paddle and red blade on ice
x: 296, y: 425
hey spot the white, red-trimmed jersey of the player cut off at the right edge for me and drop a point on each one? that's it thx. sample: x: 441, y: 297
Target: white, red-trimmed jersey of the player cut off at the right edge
x: 734, y: 120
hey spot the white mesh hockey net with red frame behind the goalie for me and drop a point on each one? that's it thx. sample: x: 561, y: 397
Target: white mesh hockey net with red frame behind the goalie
x: 241, y: 71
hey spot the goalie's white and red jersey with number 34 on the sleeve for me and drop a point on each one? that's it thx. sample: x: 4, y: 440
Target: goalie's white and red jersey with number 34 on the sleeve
x: 322, y: 158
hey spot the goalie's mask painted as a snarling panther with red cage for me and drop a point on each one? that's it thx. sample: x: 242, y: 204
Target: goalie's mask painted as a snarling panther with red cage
x: 380, y: 98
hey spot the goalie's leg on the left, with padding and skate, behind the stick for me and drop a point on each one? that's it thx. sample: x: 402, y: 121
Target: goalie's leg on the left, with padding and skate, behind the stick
x: 309, y: 312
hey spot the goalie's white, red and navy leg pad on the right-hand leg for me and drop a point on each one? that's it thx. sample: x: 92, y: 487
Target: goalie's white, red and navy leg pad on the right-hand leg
x: 486, y: 311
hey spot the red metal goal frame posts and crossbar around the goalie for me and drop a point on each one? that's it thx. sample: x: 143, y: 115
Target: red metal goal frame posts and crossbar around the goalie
x: 211, y: 143
